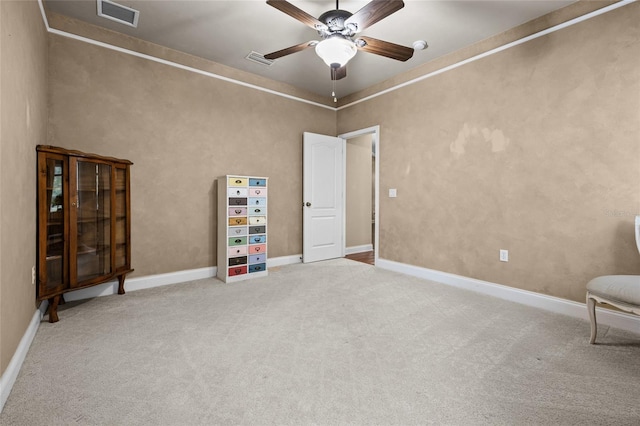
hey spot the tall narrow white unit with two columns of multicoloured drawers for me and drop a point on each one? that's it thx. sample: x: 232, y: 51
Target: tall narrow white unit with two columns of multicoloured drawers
x: 242, y: 227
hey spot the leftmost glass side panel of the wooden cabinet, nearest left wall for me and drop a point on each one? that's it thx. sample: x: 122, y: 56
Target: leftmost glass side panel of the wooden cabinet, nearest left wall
x: 53, y: 210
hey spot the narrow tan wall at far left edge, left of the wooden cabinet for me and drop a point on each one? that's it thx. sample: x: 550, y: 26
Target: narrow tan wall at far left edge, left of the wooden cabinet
x: 23, y: 118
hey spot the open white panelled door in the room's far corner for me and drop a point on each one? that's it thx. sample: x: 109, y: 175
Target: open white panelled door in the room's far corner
x: 322, y: 198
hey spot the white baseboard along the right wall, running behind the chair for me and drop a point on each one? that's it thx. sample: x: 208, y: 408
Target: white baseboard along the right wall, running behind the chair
x: 608, y: 317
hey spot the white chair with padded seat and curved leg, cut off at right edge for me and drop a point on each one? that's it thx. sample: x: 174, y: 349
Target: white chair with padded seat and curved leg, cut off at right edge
x: 621, y: 291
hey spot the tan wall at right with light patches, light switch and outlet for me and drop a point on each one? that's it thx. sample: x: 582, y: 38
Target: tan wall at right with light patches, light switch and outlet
x: 535, y: 149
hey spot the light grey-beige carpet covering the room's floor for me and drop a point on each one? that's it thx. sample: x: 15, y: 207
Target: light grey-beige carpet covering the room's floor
x: 336, y: 342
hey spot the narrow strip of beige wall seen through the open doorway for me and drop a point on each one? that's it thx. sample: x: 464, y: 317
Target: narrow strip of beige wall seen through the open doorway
x: 358, y: 191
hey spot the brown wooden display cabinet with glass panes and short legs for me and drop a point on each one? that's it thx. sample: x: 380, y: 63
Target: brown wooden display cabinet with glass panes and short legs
x: 84, y: 225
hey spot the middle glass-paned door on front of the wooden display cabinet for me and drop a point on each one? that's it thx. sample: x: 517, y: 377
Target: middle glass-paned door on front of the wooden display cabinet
x: 93, y: 224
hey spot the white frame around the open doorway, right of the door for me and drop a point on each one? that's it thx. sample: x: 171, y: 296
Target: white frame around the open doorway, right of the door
x: 374, y: 131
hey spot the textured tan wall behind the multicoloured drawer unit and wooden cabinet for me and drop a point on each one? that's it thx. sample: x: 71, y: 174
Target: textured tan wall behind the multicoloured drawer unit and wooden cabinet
x: 181, y: 130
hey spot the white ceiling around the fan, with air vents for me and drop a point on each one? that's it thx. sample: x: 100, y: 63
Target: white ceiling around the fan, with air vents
x: 227, y: 31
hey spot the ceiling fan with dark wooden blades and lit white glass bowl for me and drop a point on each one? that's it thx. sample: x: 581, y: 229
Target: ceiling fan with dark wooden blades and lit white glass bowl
x: 337, y: 28
